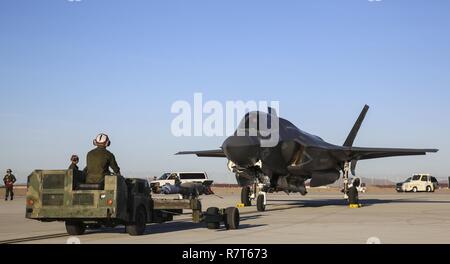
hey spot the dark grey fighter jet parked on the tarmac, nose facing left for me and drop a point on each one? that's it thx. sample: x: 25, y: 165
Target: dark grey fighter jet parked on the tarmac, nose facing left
x: 295, y: 158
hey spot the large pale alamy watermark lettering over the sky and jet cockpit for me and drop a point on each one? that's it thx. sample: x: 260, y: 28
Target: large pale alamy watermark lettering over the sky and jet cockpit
x: 213, y: 118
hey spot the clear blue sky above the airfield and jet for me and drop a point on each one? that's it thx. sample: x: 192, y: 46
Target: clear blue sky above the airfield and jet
x: 69, y: 70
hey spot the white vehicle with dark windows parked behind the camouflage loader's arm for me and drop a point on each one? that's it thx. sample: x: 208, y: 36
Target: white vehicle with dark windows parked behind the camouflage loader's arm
x: 169, y: 178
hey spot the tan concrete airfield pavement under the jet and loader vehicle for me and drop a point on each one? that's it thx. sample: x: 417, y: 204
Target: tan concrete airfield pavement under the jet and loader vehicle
x: 320, y: 217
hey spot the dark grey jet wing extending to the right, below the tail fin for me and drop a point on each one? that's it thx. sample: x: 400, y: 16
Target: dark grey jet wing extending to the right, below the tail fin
x: 356, y: 153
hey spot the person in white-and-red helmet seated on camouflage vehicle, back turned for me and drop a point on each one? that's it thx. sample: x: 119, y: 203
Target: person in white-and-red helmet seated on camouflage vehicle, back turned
x: 99, y: 160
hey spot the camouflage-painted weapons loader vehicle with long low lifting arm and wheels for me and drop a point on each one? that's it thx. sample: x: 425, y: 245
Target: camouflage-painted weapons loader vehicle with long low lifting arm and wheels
x: 61, y: 195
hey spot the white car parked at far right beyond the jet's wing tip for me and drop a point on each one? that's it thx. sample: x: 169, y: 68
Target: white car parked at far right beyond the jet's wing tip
x: 418, y: 183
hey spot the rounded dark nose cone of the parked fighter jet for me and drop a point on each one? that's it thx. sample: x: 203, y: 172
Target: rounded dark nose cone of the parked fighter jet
x: 242, y: 150
